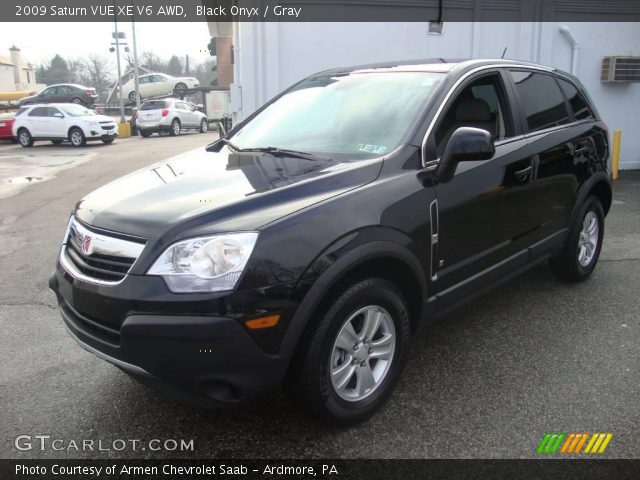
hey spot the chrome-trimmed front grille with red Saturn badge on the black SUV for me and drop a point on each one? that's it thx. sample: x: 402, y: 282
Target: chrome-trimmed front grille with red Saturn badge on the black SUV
x: 98, y: 257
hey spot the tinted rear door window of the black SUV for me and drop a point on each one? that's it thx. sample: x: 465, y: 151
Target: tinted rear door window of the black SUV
x: 541, y: 100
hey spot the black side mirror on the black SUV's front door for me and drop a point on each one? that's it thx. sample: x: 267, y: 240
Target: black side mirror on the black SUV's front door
x: 466, y: 144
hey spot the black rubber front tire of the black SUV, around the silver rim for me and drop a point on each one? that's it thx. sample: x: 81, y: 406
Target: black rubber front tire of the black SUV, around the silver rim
x: 308, y: 382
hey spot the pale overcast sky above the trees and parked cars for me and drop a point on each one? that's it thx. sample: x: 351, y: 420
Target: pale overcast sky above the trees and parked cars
x: 41, y: 41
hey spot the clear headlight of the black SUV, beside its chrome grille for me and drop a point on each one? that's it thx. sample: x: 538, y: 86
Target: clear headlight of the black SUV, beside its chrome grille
x: 205, y: 264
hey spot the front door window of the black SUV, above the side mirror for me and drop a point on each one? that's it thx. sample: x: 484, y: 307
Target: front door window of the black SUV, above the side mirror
x: 481, y: 104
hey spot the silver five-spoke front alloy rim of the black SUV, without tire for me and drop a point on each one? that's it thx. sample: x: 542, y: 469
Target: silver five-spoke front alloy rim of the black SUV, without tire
x: 362, y: 353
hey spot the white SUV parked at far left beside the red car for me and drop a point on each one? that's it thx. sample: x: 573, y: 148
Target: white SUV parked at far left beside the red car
x: 63, y: 121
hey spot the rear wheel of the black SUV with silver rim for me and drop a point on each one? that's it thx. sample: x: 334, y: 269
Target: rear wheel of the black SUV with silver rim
x: 582, y: 248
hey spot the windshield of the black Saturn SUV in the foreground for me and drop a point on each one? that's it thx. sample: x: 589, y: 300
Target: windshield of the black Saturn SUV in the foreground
x: 362, y: 114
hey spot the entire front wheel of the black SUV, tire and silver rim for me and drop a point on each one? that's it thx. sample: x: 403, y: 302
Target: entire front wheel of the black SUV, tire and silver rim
x: 309, y: 382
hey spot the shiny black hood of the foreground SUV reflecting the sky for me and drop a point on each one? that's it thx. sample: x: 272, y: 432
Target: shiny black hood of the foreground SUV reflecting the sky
x: 208, y: 192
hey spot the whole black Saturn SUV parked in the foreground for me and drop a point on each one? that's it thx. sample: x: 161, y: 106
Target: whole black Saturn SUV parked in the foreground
x: 305, y: 247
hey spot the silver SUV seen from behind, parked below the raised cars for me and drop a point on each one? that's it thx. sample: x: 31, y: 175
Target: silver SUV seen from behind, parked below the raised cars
x: 170, y: 115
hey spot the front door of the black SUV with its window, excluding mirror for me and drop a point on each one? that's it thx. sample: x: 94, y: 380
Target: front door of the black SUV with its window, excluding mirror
x: 486, y: 212
